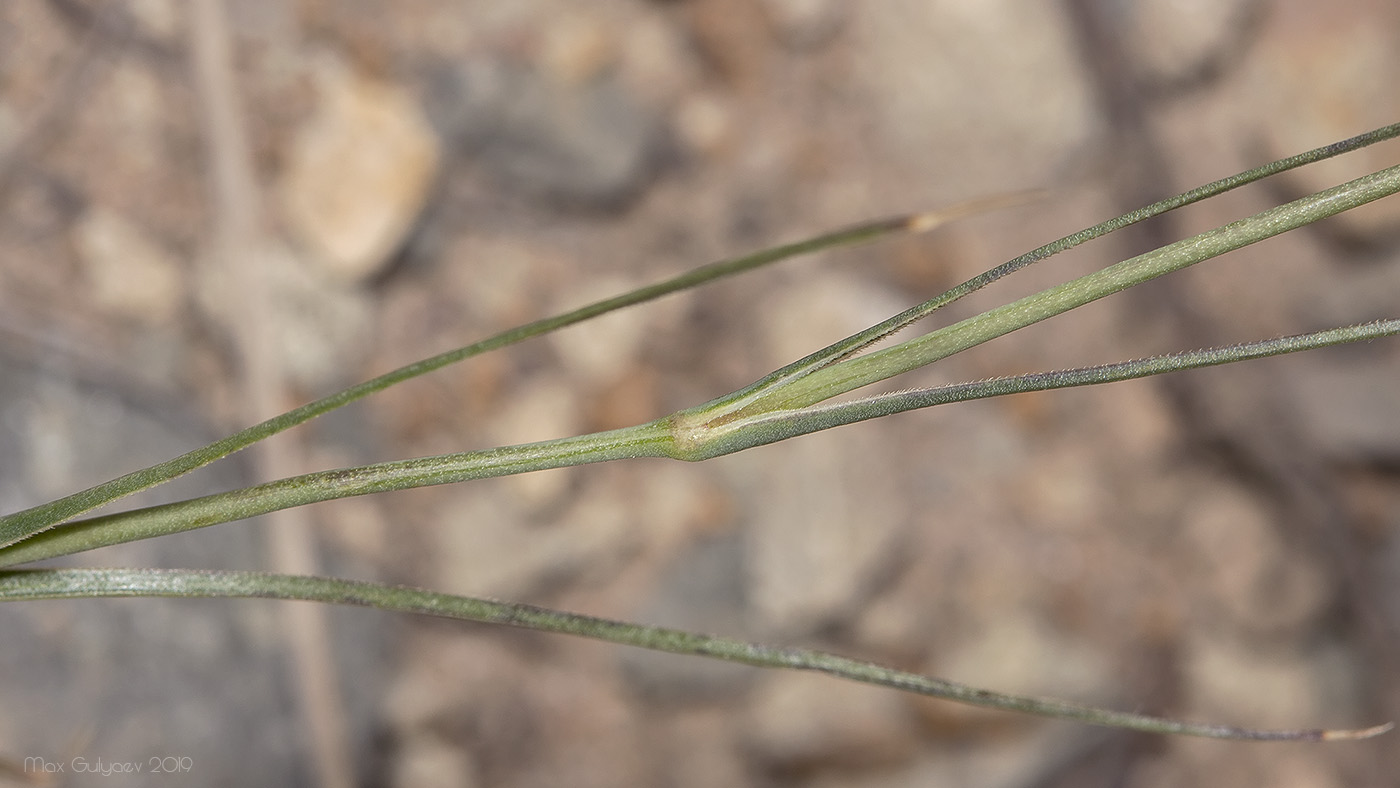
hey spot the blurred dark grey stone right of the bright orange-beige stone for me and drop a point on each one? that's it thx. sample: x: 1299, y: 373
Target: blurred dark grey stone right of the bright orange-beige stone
x: 586, y: 143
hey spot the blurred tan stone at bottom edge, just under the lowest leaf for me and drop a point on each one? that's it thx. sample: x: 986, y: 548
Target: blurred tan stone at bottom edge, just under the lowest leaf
x: 803, y: 722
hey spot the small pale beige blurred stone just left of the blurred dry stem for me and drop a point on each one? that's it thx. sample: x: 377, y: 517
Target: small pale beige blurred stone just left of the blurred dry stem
x: 129, y: 272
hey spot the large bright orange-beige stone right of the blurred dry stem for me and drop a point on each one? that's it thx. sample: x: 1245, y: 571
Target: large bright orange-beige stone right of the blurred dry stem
x: 359, y: 173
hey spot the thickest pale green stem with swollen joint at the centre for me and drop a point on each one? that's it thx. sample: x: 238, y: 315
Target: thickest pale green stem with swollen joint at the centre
x: 716, y: 429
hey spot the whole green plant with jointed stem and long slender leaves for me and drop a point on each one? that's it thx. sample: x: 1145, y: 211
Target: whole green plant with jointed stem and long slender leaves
x: 790, y: 402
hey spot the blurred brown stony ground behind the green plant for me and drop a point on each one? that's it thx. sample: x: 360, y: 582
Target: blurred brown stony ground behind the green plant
x: 1221, y: 545
